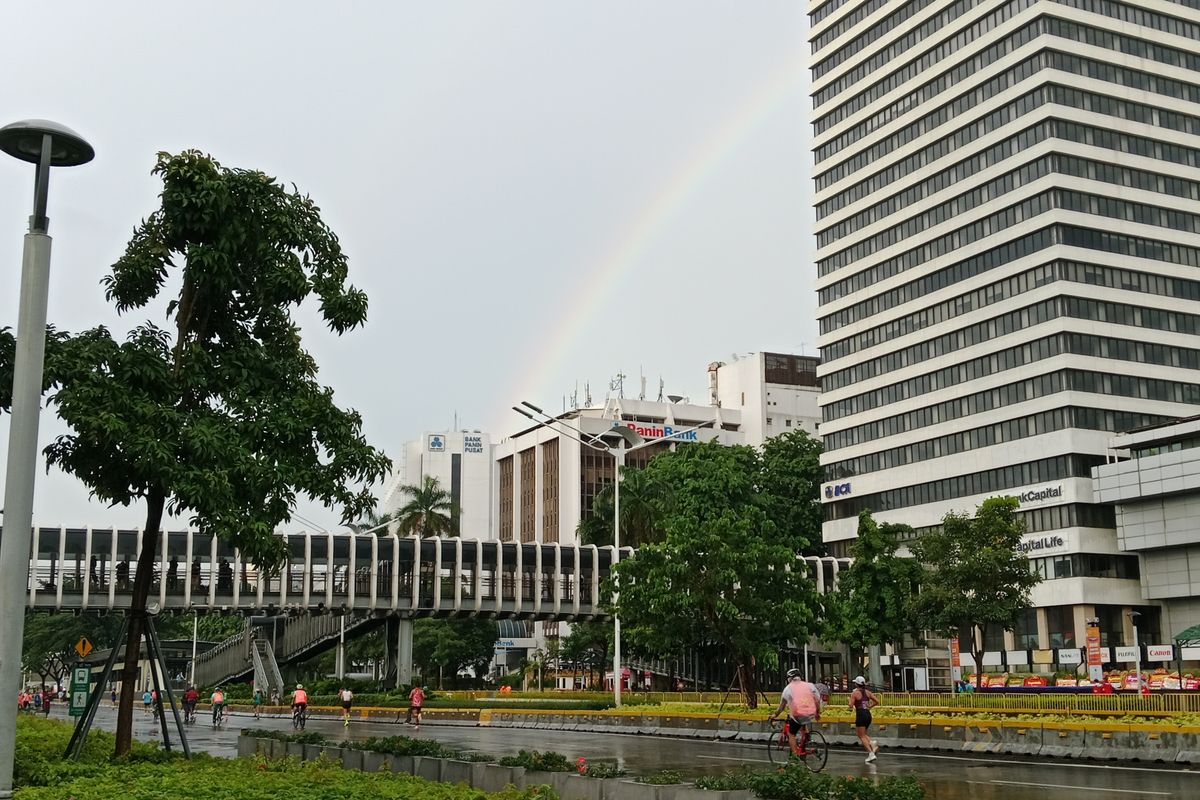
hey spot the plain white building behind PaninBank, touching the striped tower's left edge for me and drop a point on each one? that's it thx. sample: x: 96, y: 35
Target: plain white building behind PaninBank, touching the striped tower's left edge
x: 777, y: 394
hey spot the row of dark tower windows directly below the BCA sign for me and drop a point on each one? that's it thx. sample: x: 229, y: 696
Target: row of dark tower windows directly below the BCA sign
x: 961, y: 486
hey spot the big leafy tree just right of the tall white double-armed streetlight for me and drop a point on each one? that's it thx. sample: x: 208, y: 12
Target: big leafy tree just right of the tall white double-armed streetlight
x: 722, y: 575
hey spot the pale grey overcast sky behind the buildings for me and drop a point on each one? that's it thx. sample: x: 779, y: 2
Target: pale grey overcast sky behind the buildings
x: 535, y: 194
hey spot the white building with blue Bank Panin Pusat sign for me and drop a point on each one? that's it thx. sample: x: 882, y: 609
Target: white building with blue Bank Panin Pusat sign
x: 461, y: 461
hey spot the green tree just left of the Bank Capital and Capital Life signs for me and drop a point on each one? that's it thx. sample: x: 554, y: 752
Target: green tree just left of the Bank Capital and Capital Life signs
x: 976, y: 578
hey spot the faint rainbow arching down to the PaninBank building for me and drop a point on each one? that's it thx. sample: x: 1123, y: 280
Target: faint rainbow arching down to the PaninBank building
x: 598, y: 284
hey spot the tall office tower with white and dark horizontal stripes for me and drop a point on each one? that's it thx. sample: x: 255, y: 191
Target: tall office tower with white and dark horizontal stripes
x: 1009, y: 208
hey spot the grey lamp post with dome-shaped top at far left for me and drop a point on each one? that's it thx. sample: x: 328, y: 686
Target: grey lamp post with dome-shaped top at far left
x: 46, y: 145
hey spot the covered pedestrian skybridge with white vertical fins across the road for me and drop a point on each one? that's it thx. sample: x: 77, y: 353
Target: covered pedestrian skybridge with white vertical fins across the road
x: 93, y: 569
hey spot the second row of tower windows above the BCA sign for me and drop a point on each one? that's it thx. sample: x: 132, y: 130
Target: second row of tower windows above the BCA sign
x: 1096, y: 383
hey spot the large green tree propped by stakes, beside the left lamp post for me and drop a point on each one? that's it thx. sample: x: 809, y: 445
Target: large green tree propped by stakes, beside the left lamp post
x: 220, y: 418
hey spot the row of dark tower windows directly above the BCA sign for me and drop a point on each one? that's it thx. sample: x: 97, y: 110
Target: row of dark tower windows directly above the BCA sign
x: 1060, y: 419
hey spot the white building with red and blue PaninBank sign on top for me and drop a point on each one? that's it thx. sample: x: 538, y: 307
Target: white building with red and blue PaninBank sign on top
x: 547, y: 480
